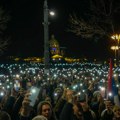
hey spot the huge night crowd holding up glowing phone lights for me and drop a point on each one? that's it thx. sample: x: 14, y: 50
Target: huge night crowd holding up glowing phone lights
x: 76, y: 91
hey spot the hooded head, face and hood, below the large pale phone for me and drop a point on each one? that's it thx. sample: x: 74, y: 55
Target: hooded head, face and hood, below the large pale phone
x: 45, y: 109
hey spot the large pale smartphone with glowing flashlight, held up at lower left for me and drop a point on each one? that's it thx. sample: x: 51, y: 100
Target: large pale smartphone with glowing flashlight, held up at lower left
x: 34, y: 92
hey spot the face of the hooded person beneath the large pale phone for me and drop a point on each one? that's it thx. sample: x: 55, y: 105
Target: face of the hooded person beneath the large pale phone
x: 46, y: 111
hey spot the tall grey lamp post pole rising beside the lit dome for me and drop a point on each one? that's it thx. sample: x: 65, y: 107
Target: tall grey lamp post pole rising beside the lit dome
x: 46, y: 39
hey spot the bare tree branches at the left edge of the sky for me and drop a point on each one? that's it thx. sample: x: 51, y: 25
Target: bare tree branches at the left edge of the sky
x: 4, y: 18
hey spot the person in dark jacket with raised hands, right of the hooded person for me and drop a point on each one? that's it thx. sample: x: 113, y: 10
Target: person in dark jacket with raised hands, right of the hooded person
x: 72, y: 109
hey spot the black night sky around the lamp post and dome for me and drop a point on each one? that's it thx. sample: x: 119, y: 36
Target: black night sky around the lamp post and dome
x: 26, y: 29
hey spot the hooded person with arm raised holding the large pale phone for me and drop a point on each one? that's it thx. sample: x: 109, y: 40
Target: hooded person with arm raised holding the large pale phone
x: 44, y: 108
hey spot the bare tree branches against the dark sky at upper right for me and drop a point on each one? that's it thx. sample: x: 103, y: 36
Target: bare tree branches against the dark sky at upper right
x: 100, y: 19
